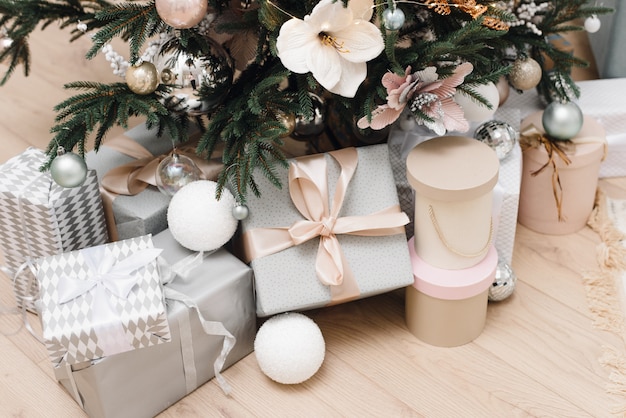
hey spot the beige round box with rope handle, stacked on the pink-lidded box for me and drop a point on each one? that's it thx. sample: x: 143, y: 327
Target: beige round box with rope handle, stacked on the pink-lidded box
x: 453, y: 178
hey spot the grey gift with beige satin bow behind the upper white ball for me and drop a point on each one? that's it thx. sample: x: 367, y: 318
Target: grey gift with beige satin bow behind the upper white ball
x: 126, y: 166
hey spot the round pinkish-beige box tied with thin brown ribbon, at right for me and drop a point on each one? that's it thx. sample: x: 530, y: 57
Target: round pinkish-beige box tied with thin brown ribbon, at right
x: 559, y: 179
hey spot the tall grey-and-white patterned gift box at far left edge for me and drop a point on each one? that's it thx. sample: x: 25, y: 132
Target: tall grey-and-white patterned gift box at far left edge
x: 40, y: 218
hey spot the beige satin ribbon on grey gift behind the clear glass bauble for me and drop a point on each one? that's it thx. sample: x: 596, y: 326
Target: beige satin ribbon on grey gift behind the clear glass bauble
x: 135, y: 176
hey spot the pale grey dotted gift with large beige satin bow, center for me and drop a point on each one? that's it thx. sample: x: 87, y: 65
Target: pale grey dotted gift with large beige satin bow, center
x: 309, y: 250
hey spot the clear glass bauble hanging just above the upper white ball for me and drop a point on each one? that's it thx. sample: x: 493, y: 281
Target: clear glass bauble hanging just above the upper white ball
x: 174, y: 172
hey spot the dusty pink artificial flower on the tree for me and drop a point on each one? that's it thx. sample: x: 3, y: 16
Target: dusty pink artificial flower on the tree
x: 425, y: 94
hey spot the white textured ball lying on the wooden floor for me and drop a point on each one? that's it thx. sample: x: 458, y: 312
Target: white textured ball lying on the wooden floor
x: 289, y: 348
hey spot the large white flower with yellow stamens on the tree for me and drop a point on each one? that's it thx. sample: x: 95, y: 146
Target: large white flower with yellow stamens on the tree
x: 334, y: 43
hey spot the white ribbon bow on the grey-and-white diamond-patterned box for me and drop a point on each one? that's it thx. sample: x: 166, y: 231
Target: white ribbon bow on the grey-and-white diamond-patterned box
x: 107, y: 278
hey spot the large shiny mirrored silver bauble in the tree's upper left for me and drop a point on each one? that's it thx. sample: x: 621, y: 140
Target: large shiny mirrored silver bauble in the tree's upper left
x: 200, y: 83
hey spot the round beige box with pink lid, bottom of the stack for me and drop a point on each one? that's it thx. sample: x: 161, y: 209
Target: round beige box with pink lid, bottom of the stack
x: 448, y: 308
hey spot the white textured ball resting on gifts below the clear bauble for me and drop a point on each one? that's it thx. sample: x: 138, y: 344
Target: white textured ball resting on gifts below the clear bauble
x: 197, y: 220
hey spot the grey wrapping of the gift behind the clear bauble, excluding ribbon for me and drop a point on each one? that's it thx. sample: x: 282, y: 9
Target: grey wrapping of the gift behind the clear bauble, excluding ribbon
x: 146, y: 212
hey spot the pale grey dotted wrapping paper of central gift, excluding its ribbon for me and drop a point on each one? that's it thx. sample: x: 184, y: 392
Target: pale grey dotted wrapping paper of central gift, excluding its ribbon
x: 287, y: 280
